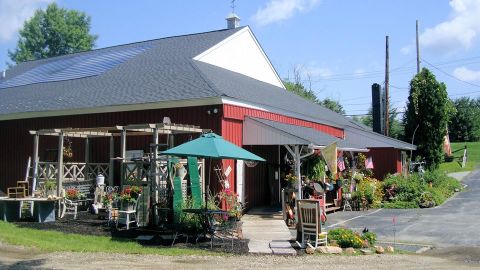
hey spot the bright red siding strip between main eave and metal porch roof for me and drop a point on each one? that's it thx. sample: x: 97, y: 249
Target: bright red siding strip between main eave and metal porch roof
x: 239, y: 113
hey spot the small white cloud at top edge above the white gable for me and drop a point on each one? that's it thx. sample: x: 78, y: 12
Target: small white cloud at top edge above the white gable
x: 279, y: 10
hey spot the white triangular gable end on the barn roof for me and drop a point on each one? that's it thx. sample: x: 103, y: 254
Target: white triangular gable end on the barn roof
x: 241, y: 53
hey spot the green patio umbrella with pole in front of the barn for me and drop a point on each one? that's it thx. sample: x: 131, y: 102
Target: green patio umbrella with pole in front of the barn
x: 211, y: 146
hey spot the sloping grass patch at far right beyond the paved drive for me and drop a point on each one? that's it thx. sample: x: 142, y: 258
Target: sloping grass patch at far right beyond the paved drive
x: 473, y: 151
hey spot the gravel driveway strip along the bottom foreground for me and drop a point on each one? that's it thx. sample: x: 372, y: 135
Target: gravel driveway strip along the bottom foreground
x: 21, y: 258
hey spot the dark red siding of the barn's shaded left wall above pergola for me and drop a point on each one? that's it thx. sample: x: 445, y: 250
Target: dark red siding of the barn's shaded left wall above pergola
x: 16, y: 144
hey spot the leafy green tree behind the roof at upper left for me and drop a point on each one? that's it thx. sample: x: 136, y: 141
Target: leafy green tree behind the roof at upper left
x: 55, y: 31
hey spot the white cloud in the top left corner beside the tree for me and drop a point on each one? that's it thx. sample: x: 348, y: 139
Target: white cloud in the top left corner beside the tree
x: 13, y: 13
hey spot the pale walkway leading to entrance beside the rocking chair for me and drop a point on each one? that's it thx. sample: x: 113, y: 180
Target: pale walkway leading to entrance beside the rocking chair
x: 267, y: 232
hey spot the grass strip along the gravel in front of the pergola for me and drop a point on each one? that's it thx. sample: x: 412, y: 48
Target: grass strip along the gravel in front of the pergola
x: 51, y: 241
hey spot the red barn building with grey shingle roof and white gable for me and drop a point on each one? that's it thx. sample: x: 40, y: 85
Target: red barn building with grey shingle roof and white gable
x: 220, y: 80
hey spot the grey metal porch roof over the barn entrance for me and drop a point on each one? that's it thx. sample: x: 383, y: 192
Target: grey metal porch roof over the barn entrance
x: 257, y: 131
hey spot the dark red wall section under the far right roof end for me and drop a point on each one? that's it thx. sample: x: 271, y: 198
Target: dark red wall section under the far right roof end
x: 385, y: 160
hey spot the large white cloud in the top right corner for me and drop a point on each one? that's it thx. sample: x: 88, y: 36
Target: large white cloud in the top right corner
x: 460, y: 31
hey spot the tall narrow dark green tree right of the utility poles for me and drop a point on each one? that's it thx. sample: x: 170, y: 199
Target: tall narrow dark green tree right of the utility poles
x: 427, y: 112
